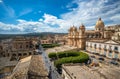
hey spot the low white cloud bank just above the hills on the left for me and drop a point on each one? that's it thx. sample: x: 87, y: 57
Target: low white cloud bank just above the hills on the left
x: 24, y: 26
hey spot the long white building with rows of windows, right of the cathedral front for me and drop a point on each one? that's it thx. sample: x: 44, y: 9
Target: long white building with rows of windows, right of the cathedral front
x: 110, y: 49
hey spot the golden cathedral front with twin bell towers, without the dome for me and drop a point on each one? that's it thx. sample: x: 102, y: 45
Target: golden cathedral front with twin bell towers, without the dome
x: 77, y: 37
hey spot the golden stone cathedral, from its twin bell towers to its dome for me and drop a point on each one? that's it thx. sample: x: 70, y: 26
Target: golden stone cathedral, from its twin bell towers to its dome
x: 78, y: 37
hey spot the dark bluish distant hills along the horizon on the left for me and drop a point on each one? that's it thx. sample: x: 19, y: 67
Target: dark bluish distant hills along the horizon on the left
x: 6, y: 36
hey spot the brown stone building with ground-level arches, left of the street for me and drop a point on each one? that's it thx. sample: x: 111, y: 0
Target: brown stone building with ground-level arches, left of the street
x: 18, y: 47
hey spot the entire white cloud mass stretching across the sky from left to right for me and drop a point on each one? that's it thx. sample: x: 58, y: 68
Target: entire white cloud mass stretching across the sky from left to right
x: 86, y: 13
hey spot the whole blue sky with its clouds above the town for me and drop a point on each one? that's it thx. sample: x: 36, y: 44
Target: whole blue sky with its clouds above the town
x: 26, y: 16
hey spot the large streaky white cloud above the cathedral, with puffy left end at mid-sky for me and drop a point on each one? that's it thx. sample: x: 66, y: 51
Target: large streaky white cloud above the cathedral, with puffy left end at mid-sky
x: 86, y: 13
